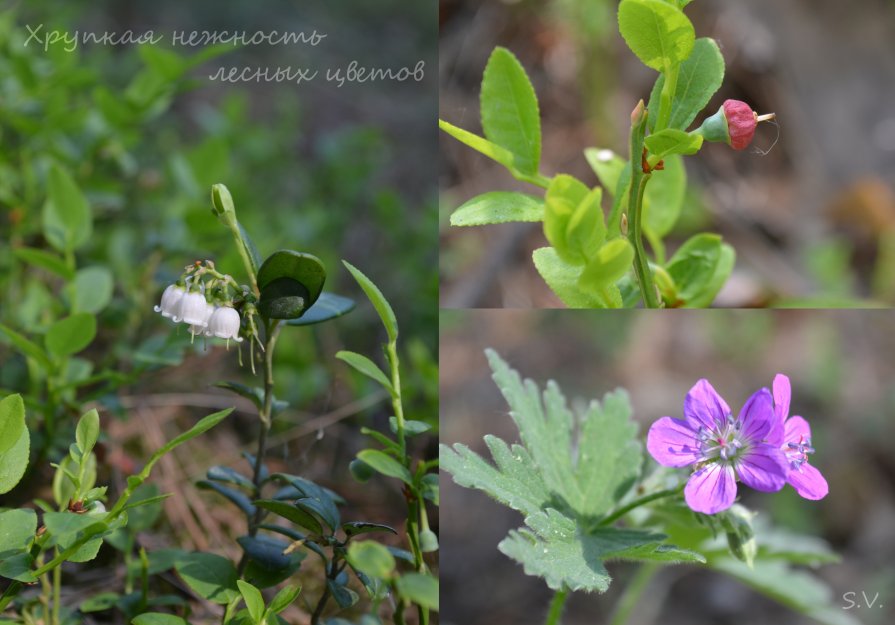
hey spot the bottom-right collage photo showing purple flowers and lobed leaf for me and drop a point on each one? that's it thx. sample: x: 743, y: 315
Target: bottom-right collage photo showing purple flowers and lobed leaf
x: 601, y: 489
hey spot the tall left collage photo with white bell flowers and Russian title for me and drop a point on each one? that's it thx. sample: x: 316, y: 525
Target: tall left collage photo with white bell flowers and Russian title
x: 218, y: 313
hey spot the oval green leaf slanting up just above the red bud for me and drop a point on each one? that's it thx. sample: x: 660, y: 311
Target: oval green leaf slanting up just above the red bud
x: 700, y: 77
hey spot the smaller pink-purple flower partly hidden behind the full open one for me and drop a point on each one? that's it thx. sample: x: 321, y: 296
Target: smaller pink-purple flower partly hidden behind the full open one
x: 793, y: 436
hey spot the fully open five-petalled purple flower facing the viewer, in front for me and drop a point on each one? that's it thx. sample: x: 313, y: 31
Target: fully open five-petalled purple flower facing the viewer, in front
x: 722, y: 447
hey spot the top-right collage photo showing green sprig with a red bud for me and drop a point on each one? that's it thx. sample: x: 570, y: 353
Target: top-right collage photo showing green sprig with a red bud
x: 758, y: 173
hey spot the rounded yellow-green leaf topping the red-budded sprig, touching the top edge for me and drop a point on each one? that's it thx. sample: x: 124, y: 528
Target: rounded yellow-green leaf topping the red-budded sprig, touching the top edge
x: 659, y: 34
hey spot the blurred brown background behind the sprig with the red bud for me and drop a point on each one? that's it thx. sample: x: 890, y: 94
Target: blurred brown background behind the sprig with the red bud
x: 812, y: 220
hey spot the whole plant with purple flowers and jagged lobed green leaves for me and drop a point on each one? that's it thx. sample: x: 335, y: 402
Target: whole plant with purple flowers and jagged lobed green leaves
x: 577, y: 477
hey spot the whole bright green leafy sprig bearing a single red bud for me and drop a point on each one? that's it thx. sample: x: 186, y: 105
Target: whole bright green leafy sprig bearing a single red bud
x: 599, y: 261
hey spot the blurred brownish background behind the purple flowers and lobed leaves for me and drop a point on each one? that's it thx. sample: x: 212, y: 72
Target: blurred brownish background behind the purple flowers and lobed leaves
x: 841, y: 369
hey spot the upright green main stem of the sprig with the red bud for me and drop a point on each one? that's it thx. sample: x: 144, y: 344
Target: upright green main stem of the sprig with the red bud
x: 639, y: 178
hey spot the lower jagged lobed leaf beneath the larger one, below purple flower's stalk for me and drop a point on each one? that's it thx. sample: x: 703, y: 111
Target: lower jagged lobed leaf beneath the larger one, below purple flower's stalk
x: 554, y: 548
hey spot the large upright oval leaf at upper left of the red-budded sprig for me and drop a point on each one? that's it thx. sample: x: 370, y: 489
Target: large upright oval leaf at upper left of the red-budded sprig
x: 510, y: 116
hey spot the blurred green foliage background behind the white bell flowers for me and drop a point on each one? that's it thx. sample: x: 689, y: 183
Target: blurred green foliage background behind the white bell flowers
x: 339, y: 172
